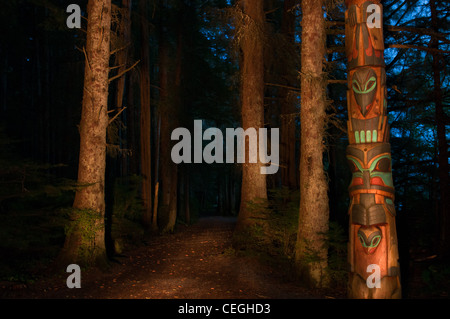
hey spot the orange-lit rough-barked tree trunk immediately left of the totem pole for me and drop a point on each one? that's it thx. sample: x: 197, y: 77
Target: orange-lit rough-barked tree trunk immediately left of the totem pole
x: 311, y: 253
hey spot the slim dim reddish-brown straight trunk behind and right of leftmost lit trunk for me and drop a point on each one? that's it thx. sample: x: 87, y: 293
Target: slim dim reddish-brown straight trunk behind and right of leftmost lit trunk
x: 146, y: 167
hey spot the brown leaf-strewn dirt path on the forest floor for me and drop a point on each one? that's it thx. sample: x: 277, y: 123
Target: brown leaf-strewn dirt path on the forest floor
x: 196, y: 262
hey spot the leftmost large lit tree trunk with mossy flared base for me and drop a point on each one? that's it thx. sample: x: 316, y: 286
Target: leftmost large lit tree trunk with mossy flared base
x: 85, y: 240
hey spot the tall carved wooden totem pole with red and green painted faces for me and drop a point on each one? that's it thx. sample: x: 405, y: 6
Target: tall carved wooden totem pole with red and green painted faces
x: 372, y: 251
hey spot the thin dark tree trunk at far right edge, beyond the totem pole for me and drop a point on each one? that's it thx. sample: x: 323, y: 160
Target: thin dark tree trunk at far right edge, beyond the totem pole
x: 443, y: 220
